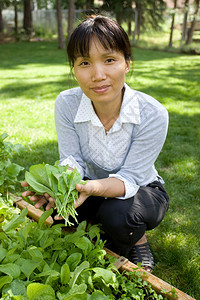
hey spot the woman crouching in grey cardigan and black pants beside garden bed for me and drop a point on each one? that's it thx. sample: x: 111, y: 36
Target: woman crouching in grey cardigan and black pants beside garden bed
x: 113, y: 136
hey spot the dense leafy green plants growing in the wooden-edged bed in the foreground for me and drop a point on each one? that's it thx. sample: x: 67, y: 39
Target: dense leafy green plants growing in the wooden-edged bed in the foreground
x: 48, y: 263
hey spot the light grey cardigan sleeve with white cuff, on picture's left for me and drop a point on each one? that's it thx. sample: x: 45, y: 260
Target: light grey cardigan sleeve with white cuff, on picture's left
x: 68, y: 140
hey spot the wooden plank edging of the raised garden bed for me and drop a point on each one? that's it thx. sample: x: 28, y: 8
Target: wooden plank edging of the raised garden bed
x: 122, y: 263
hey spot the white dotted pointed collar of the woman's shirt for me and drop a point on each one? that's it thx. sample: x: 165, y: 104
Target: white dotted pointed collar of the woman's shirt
x: 129, y: 110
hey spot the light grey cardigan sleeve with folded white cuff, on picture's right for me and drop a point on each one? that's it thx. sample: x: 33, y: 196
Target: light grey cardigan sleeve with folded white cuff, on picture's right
x: 147, y: 142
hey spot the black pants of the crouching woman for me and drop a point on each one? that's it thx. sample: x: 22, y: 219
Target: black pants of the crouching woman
x: 125, y: 221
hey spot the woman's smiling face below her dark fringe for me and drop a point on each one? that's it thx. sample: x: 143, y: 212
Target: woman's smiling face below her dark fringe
x: 101, y: 76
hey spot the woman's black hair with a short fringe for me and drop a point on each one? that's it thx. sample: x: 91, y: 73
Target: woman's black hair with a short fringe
x: 110, y: 34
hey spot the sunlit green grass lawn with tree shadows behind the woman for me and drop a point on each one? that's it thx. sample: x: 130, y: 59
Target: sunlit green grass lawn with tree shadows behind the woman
x: 32, y: 75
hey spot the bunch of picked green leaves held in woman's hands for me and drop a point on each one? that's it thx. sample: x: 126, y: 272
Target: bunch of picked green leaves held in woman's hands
x: 60, y: 183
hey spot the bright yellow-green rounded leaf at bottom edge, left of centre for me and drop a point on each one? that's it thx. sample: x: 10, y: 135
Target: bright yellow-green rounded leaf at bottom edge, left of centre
x: 39, y: 291
